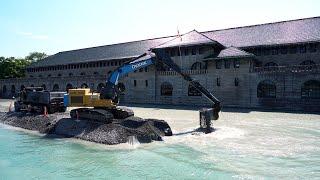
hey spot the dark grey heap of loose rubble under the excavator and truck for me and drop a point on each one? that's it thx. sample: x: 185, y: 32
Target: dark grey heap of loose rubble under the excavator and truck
x: 119, y: 131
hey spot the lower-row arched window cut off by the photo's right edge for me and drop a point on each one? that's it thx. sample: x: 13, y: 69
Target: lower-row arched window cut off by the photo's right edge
x: 310, y: 90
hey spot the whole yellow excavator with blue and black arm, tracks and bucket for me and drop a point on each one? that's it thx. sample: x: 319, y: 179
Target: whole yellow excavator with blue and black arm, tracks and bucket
x: 103, y: 107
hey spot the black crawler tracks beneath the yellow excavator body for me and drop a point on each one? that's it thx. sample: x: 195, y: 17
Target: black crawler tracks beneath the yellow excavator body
x: 100, y: 114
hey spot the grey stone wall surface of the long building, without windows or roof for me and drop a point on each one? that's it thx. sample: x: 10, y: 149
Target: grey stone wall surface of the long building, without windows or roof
x: 144, y: 86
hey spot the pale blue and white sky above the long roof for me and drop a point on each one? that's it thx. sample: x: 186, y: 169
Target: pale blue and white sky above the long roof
x: 60, y: 25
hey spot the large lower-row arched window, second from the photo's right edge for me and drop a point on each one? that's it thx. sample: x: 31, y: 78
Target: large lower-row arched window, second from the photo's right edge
x: 266, y: 89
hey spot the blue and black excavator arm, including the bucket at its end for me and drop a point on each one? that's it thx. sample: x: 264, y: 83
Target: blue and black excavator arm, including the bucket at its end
x: 112, y: 89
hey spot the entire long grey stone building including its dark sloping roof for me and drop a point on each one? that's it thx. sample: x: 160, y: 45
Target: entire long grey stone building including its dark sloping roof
x: 274, y: 65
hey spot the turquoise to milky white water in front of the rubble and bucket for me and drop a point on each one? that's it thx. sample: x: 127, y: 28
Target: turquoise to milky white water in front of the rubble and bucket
x: 245, y: 146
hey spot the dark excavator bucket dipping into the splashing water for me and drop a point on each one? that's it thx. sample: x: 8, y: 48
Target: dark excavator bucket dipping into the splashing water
x: 206, y: 116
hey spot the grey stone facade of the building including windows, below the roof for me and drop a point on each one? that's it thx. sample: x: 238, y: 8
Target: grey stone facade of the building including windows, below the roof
x: 279, y: 76
